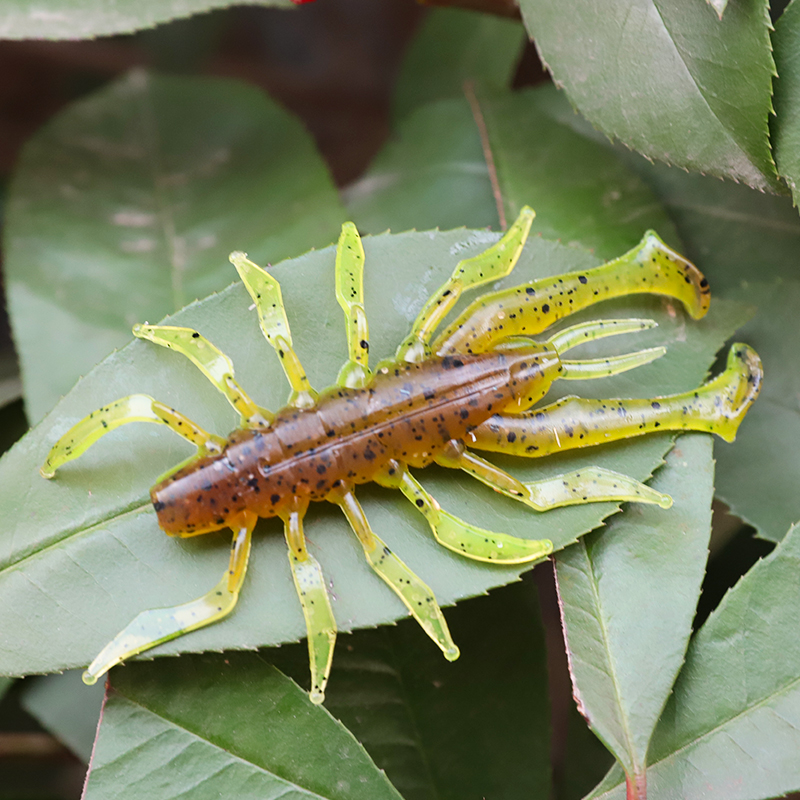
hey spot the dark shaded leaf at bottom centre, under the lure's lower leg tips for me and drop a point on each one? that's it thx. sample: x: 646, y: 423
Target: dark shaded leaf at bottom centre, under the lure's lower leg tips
x: 477, y: 727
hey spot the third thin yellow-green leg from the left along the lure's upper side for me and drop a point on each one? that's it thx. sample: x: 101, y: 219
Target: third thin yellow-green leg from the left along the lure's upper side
x: 266, y: 294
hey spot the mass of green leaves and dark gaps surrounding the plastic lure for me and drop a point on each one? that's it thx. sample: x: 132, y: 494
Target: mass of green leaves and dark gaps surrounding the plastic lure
x: 419, y: 120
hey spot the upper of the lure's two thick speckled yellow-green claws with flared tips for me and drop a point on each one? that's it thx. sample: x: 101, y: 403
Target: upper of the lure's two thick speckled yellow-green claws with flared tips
x: 649, y: 268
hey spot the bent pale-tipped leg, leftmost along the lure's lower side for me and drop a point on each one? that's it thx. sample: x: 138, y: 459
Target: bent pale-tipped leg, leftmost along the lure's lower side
x: 151, y: 628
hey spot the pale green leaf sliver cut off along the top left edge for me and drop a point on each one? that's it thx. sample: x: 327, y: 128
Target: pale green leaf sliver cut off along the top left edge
x: 84, y: 19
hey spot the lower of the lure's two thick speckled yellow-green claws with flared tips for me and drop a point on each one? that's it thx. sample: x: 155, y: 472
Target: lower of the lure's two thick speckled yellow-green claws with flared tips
x: 718, y: 406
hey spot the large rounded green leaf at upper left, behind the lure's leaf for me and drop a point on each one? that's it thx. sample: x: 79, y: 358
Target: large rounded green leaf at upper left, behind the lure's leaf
x: 125, y: 207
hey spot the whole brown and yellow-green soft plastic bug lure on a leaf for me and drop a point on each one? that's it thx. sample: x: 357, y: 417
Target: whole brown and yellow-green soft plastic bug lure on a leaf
x: 471, y: 387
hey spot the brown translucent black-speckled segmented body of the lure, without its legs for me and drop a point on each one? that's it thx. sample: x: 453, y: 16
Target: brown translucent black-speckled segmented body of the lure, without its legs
x: 408, y: 413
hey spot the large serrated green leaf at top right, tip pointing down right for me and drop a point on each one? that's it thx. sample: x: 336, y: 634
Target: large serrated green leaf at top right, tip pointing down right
x: 667, y: 78
